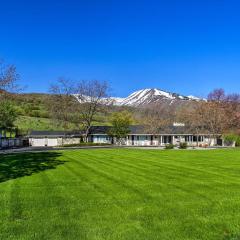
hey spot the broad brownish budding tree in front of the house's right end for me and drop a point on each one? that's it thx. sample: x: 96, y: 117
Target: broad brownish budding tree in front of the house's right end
x: 216, y: 116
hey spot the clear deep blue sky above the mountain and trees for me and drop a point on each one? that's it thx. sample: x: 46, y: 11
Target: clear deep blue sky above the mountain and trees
x: 189, y: 47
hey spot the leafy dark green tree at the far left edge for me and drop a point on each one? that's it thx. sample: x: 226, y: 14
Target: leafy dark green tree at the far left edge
x: 8, y: 115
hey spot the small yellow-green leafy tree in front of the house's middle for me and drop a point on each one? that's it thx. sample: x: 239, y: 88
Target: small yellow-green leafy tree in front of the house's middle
x: 120, y: 125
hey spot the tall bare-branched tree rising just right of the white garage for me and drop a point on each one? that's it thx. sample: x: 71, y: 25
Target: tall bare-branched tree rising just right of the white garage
x: 93, y: 96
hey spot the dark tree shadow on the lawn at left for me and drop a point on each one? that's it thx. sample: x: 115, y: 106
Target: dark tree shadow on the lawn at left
x: 14, y: 166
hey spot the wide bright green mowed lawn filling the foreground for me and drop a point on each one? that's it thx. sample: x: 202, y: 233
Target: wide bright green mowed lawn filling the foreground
x: 120, y: 194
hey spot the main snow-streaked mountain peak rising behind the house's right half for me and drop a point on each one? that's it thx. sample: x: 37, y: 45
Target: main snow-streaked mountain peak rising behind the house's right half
x: 151, y: 95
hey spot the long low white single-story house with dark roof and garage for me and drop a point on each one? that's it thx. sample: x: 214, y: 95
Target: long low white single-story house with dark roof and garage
x: 136, y: 137
